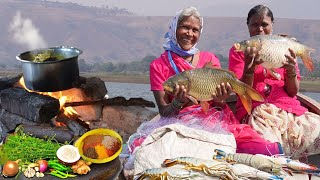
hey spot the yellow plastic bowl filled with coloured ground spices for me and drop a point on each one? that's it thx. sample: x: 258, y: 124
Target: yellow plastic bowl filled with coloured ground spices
x: 99, y: 145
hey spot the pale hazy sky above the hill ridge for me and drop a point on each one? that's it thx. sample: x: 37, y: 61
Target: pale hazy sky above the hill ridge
x: 293, y: 9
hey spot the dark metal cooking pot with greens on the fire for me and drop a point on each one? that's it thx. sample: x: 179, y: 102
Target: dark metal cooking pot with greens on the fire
x: 50, y: 69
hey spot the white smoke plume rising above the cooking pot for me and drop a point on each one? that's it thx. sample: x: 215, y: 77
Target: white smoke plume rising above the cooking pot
x: 25, y: 33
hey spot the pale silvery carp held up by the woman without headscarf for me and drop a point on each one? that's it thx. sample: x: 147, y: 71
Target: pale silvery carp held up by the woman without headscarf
x: 273, y: 49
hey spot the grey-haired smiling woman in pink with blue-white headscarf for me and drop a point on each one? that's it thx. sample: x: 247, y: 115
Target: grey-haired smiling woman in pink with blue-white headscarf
x: 180, y: 55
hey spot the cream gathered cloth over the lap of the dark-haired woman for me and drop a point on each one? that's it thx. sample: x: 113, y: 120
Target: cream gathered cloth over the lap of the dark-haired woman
x: 298, y: 135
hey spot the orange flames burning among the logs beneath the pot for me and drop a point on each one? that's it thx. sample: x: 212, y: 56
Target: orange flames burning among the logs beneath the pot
x: 68, y: 95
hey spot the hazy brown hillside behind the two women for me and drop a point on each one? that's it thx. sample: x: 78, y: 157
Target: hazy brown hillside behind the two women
x: 115, y: 35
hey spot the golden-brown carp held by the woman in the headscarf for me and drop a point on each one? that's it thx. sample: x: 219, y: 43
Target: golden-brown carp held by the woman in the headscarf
x: 201, y: 84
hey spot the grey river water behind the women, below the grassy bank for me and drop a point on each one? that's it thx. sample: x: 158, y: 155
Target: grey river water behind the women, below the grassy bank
x: 132, y: 90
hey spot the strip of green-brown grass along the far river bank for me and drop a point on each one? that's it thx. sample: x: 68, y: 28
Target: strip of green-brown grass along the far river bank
x: 305, y: 85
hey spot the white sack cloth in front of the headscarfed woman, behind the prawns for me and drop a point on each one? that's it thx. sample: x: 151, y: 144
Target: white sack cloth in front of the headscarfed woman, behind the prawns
x: 176, y: 140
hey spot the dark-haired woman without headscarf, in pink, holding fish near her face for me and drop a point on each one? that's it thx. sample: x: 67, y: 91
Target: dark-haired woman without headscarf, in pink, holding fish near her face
x: 281, y: 118
